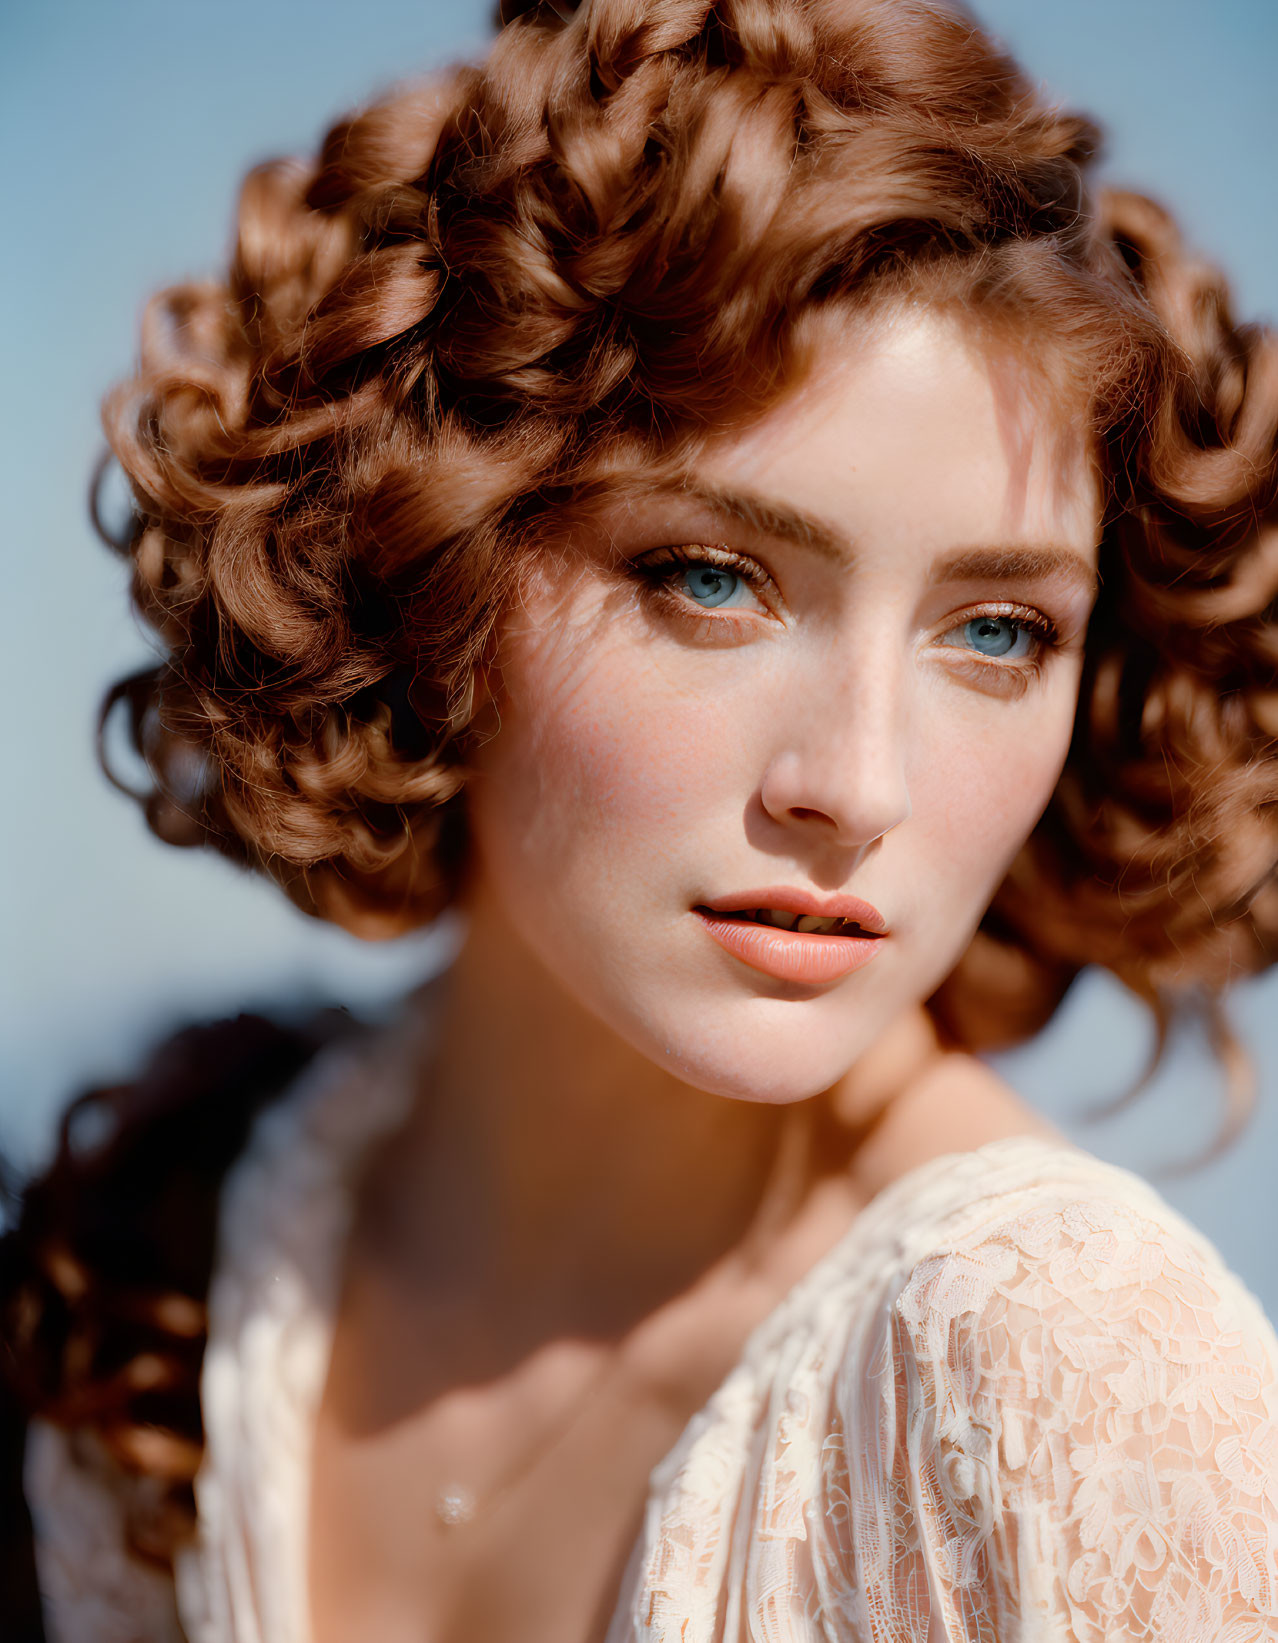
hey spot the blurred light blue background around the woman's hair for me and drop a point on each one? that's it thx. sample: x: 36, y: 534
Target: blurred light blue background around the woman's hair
x: 124, y: 131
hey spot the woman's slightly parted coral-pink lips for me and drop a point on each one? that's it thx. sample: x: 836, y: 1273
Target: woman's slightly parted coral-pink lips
x: 794, y: 955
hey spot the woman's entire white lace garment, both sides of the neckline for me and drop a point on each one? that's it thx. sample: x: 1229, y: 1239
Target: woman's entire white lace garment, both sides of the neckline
x: 1021, y: 1402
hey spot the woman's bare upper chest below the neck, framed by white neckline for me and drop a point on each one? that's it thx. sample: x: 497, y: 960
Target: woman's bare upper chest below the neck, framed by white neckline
x: 549, y: 1448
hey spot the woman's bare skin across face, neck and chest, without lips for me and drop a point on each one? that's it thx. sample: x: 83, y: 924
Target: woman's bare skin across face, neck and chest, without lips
x: 628, y: 1144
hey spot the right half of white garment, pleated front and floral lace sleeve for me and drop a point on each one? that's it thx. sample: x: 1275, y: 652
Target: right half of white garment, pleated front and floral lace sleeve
x: 1021, y: 1402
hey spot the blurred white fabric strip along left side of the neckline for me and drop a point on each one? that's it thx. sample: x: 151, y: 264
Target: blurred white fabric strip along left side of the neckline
x: 285, y: 1222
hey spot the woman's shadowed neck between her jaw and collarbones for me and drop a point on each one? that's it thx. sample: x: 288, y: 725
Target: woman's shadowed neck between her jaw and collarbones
x: 548, y: 1154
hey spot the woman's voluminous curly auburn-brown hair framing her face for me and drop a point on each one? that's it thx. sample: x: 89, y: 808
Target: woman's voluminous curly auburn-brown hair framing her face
x: 494, y: 292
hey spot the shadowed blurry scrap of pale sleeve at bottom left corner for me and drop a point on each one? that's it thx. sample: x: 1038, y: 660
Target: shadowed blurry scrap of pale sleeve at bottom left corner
x: 91, y: 1590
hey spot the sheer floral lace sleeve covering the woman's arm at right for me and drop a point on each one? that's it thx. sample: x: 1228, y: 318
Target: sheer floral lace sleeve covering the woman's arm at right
x: 1078, y: 1435
